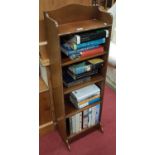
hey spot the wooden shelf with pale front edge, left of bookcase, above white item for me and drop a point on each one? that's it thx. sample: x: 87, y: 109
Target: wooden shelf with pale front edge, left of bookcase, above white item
x: 44, y: 57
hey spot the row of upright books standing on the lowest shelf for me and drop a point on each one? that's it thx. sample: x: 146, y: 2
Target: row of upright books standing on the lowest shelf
x: 85, y: 119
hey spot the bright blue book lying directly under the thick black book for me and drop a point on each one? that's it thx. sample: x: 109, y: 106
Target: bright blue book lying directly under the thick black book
x: 90, y: 43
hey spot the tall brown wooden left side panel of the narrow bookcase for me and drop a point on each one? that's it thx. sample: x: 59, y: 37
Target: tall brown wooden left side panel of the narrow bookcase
x: 56, y: 75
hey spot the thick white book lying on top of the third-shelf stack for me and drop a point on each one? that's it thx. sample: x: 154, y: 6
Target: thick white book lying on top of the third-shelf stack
x: 85, y: 92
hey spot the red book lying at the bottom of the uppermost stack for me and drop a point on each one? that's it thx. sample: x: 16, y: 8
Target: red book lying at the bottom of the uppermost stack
x: 98, y: 50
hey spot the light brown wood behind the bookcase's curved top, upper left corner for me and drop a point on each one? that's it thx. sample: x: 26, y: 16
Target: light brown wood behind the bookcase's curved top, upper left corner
x: 48, y: 5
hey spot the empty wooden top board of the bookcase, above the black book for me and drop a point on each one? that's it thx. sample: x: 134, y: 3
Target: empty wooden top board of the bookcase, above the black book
x: 80, y: 26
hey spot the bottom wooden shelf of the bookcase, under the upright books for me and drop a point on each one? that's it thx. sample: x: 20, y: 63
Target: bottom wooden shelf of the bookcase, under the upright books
x: 83, y: 132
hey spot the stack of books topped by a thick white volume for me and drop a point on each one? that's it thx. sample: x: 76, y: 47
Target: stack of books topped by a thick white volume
x: 85, y: 96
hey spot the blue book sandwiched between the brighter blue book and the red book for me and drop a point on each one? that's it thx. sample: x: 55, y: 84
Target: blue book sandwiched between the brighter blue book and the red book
x: 67, y: 50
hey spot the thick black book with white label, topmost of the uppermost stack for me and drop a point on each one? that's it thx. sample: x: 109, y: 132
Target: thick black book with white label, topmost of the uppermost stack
x: 88, y: 36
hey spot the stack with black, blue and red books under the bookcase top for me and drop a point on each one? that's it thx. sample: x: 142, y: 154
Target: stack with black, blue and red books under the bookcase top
x: 84, y: 44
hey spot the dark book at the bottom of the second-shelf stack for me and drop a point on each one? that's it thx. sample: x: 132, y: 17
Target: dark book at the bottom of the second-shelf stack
x: 68, y: 81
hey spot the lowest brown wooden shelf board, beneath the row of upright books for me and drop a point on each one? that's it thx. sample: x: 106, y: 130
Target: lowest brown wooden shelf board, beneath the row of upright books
x: 83, y: 131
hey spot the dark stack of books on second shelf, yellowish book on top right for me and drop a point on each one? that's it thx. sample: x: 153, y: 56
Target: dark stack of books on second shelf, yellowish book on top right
x: 81, y: 72
